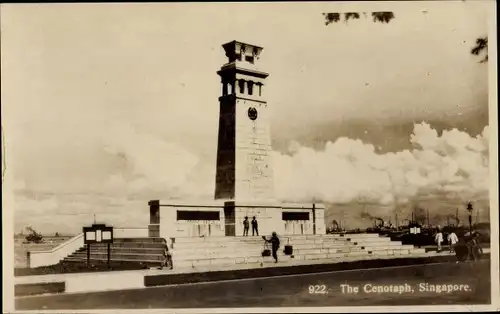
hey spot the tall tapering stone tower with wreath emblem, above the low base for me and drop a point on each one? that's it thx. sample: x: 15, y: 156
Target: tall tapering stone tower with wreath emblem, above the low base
x: 244, y: 165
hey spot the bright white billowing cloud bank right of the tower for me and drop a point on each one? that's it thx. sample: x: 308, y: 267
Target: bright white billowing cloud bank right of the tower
x: 349, y: 170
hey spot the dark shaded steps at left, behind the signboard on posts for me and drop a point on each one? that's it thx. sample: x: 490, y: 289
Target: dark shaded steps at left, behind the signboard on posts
x: 138, y: 252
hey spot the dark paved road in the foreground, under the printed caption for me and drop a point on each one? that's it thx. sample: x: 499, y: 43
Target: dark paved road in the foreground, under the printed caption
x: 293, y: 291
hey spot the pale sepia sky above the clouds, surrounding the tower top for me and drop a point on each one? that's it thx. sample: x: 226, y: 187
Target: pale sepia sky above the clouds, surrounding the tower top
x: 102, y: 100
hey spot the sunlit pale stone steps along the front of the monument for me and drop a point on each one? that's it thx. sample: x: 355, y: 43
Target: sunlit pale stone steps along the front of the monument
x: 220, y: 251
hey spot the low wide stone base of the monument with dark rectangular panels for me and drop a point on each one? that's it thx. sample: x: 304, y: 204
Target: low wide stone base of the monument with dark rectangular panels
x: 225, y: 218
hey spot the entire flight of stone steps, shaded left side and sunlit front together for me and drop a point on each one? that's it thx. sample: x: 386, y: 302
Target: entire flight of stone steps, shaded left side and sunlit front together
x: 194, y: 252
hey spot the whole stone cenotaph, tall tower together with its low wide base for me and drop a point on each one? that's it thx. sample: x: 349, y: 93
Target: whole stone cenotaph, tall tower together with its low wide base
x: 244, y: 183
